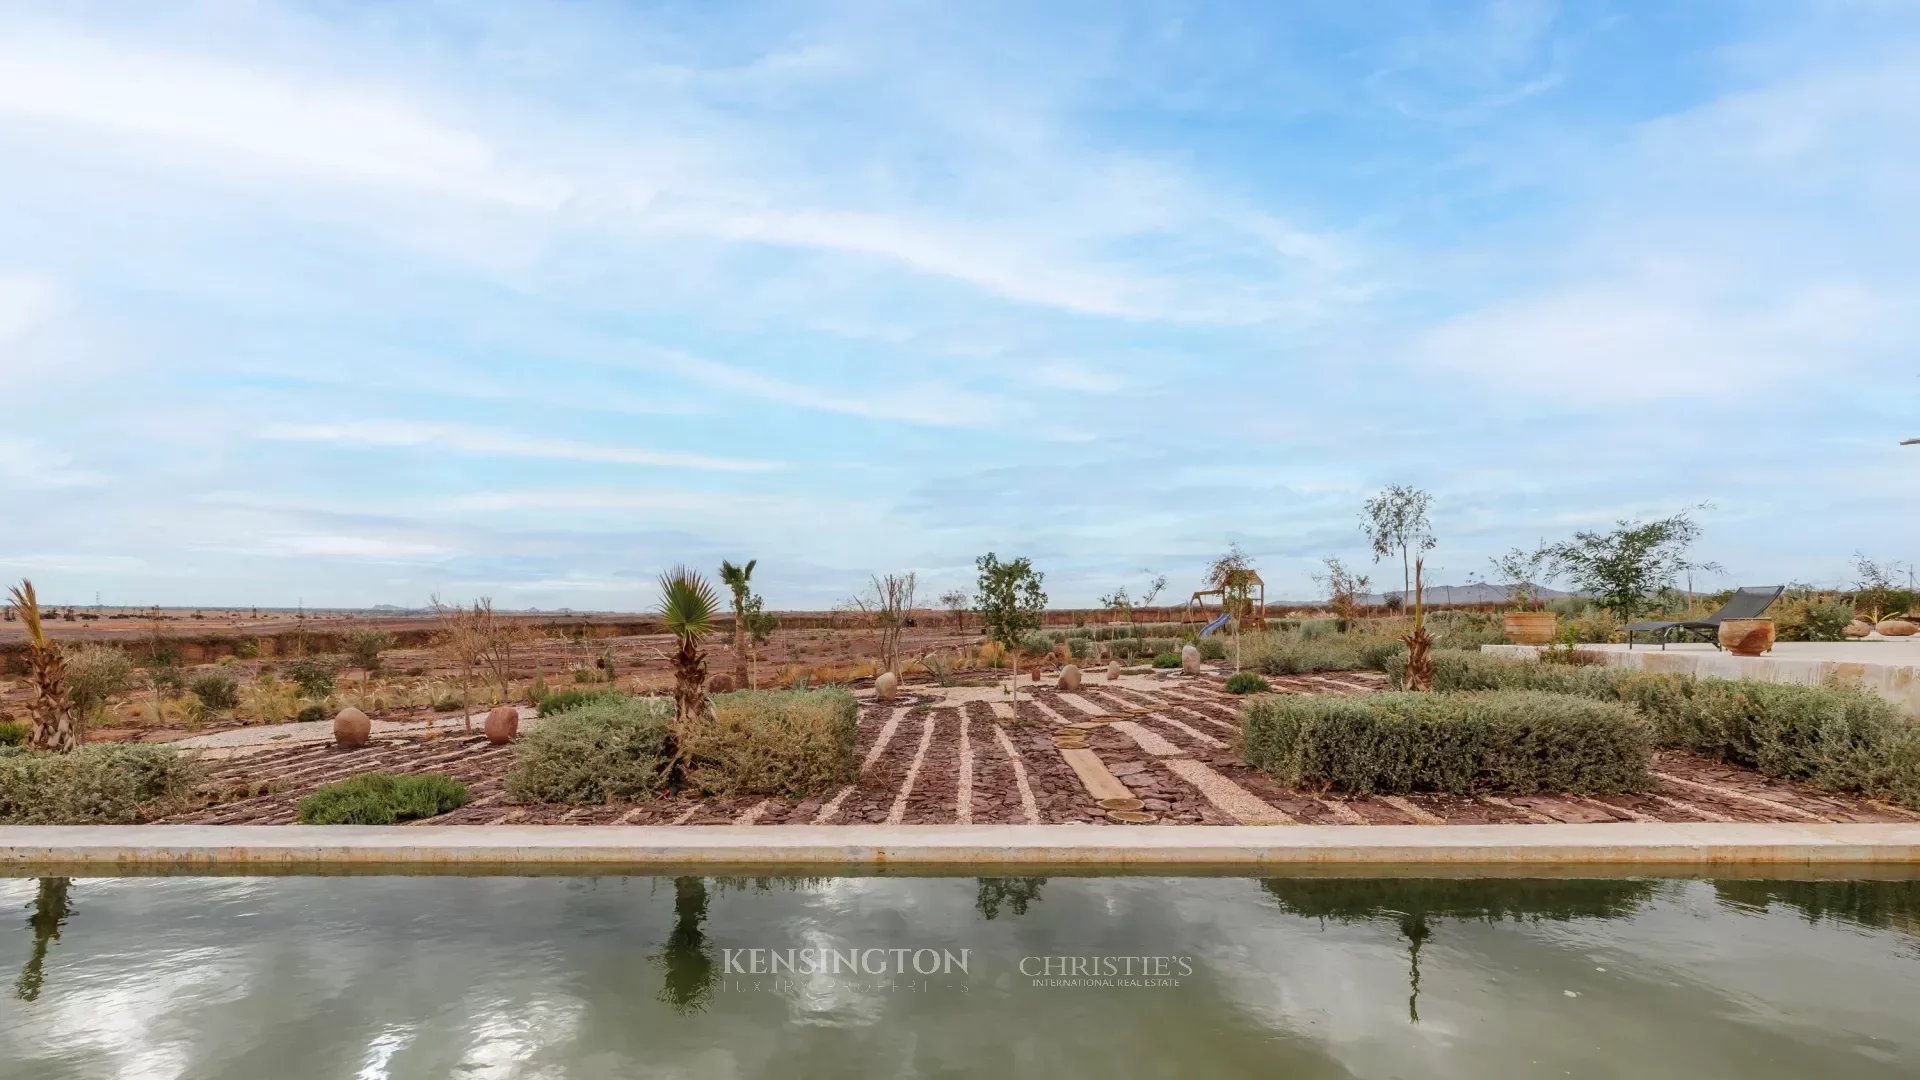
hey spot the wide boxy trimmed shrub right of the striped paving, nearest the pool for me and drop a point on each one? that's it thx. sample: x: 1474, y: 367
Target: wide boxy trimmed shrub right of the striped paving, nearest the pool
x: 1449, y: 743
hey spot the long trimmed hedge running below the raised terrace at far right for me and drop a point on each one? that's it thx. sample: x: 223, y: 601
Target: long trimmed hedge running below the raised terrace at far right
x: 1838, y: 739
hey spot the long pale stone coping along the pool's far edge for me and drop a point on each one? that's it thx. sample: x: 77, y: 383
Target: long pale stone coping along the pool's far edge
x: 878, y: 847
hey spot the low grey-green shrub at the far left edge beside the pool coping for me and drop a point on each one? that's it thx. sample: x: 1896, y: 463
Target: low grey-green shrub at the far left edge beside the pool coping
x: 95, y: 785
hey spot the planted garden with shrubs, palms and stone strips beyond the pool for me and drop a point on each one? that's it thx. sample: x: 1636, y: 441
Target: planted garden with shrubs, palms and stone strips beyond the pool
x: 1362, y: 710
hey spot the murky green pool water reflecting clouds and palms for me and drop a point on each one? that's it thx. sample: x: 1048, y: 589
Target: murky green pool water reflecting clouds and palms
x: 370, y: 977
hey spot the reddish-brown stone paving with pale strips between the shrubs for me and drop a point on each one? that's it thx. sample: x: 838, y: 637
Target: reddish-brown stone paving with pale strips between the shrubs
x: 1143, y: 750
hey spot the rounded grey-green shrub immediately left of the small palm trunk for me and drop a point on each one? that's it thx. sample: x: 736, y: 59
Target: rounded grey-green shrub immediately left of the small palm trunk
x: 594, y: 754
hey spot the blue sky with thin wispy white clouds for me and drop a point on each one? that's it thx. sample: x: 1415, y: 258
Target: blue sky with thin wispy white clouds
x: 364, y: 303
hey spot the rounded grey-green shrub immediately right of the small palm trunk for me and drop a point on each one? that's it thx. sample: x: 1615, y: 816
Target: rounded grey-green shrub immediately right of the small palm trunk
x: 775, y: 743
